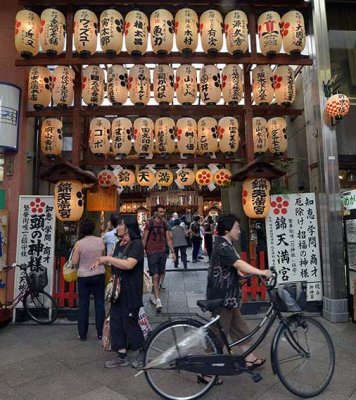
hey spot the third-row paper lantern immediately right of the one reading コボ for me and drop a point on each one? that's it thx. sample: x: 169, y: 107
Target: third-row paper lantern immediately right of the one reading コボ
x: 121, y: 136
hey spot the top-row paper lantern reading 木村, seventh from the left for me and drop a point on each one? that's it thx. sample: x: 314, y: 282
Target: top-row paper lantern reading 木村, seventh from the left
x: 186, y: 27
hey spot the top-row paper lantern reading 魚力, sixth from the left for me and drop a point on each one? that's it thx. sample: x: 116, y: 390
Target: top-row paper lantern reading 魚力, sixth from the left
x: 162, y: 29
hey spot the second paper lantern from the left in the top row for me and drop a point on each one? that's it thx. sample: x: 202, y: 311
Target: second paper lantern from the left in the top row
x: 52, y: 32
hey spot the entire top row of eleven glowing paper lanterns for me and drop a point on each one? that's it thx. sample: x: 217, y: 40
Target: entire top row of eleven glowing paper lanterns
x: 31, y: 31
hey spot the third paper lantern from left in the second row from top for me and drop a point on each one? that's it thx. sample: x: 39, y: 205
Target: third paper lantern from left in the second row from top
x: 93, y: 81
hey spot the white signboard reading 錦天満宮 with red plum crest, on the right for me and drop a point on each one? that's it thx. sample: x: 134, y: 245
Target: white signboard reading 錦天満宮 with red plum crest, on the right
x: 293, y: 241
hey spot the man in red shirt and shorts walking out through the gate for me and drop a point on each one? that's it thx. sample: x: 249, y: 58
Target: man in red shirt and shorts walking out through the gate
x: 156, y: 240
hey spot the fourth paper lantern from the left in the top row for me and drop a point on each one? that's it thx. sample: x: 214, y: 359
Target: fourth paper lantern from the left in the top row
x: 111, y: 31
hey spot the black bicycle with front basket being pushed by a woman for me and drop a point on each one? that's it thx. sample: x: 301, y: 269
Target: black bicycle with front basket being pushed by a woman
x: 302, y: 353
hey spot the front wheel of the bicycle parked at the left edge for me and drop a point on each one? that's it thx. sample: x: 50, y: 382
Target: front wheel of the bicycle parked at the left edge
x: 40, y: 307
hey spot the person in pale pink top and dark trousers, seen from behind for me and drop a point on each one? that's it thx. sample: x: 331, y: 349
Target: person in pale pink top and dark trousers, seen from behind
x: 86, y: 250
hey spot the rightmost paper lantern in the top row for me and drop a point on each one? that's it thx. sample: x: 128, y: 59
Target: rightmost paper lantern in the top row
x: 293, y: 32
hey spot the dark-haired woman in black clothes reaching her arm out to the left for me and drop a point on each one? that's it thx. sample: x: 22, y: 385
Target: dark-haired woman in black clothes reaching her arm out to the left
x: 124, y: 312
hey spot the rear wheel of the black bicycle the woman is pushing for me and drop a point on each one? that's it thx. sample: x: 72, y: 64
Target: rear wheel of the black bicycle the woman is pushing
x: 168, y: 381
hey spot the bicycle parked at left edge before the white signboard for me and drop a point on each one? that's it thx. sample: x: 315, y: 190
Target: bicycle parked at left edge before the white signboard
x: 38, y: 304
